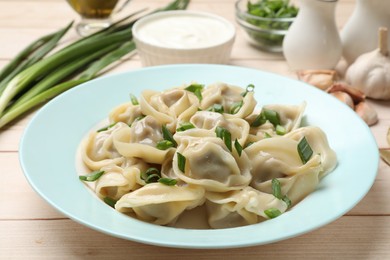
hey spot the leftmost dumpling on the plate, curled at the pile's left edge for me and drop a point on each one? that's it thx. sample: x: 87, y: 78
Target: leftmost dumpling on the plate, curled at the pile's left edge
x: 98, y: 150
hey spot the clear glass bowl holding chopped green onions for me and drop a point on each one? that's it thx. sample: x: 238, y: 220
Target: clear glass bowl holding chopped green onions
x: 265, y: 33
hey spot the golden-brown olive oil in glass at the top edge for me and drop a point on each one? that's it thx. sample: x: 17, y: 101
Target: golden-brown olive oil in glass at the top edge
x: 93, y: 9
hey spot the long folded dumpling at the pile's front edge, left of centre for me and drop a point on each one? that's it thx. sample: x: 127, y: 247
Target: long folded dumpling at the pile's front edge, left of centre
x: 161, y: 204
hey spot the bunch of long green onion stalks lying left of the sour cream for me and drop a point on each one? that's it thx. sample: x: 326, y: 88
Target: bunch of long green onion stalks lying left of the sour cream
x: 34, y: 77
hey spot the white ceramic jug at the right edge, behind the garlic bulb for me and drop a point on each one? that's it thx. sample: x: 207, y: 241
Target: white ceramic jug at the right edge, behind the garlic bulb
x: 360, y: 33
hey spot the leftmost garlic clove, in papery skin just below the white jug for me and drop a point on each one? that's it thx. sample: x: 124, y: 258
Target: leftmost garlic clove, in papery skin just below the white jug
x: 321, y: 79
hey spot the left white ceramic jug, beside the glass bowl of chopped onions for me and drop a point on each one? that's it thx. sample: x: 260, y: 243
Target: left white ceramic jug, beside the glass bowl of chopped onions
x: 313, y: 41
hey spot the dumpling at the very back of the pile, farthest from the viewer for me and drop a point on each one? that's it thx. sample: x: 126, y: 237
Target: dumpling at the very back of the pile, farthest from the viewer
x: 229, y: 97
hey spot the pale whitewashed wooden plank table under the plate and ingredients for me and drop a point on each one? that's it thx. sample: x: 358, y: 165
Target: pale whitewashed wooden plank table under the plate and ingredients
x: 30, y: 228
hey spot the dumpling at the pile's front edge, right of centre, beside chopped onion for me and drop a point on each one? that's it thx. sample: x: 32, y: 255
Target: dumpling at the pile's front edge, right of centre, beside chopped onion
x: 240, y: 207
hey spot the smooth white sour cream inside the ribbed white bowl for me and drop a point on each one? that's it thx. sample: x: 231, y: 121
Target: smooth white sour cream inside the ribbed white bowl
x: 186, y: 30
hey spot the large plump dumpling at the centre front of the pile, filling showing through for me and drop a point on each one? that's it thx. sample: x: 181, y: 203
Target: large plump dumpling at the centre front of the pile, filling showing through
x: 211, y: 165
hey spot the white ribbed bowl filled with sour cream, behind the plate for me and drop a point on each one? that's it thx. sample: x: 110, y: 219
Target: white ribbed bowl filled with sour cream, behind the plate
x: 183, y: 37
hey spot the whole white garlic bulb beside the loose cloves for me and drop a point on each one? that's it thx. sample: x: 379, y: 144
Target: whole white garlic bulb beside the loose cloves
x: 370, y: 73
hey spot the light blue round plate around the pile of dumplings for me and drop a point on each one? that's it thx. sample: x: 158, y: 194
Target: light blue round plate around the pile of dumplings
x: 49, y: 145
